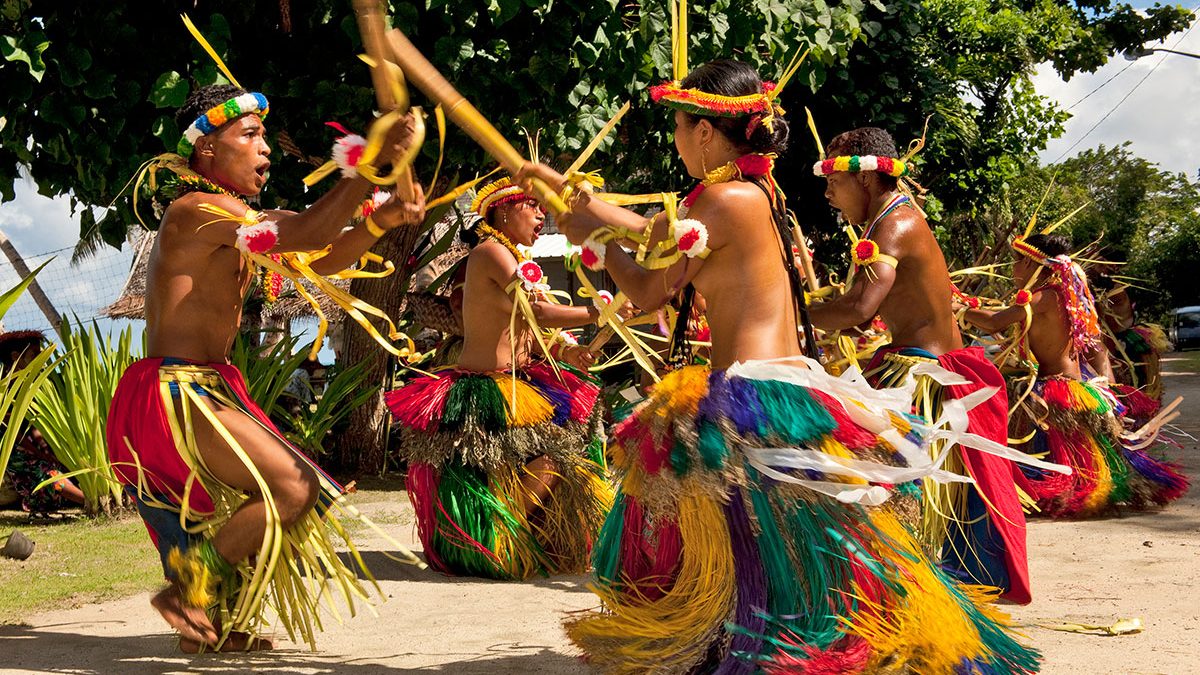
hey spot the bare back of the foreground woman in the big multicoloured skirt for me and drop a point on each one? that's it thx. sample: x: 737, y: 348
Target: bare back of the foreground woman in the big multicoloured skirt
x: 745, y: 283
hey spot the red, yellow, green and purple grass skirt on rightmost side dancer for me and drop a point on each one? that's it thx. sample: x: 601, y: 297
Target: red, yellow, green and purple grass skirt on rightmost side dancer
x: 1077, y: 423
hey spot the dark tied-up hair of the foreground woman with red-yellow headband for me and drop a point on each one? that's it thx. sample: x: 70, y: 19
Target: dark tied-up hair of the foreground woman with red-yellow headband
x: 728, y: 77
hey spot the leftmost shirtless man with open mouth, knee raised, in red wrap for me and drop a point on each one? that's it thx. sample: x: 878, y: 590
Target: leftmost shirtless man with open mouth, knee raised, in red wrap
x: 197, y: 278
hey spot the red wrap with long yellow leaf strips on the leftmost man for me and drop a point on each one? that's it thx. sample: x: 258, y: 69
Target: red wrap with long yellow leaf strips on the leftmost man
x: 153, y: 447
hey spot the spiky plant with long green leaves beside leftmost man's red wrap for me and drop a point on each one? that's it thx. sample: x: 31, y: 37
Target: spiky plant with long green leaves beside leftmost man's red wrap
x: 71, y: 411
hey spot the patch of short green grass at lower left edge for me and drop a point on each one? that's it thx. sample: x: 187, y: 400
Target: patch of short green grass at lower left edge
x: 77, y: 561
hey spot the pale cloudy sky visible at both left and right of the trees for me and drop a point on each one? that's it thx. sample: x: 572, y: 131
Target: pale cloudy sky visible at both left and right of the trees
x: 1160, y: 117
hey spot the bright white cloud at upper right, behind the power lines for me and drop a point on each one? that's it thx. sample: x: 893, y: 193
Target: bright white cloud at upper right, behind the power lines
x: 1161, y: 118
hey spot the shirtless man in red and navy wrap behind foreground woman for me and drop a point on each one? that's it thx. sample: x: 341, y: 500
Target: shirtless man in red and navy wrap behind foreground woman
x: 902, y: 276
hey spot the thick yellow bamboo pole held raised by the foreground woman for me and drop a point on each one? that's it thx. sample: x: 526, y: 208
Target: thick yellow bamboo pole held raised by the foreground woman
x: 422, y: 74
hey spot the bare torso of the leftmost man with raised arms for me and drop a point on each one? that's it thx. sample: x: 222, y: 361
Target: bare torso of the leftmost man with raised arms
x: 194, y: 289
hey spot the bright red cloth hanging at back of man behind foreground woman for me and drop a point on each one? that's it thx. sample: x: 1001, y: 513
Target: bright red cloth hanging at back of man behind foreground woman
x: 997, y: 479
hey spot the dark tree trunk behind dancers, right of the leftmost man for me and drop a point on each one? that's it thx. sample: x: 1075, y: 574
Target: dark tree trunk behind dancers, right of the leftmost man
x: 365, y: 443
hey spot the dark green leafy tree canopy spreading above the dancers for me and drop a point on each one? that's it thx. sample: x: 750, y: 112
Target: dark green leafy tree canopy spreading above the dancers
x: 89, y: 91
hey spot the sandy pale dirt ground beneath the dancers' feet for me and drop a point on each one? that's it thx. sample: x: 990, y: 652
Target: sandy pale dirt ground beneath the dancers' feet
x: 1144, y: 566
